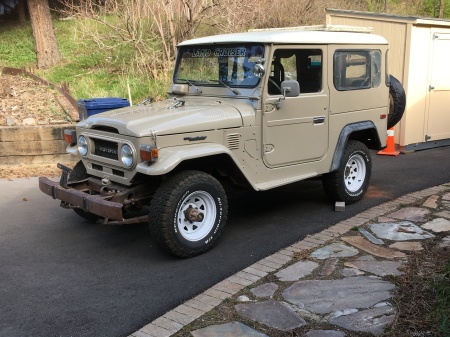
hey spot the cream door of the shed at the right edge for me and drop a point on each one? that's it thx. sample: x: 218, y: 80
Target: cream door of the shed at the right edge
x: 438, y: 126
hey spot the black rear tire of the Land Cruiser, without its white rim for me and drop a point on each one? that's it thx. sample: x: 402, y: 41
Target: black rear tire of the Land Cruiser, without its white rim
x: 332, y: 182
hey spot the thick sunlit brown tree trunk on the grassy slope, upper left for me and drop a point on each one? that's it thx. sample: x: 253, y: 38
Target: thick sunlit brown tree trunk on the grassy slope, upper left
x: 46, y: 46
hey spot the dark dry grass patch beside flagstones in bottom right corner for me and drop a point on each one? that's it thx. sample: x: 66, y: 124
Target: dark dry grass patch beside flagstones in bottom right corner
x: 423, y: 293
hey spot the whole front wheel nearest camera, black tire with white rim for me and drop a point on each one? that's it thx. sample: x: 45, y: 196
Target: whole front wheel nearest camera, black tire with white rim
x: 187, y: 213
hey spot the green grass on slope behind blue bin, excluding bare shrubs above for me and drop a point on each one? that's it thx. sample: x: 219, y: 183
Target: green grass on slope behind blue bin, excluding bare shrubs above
x: 88, y: 69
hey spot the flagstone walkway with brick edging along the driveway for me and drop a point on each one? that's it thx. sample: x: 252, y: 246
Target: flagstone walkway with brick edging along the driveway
x: 338, y: 285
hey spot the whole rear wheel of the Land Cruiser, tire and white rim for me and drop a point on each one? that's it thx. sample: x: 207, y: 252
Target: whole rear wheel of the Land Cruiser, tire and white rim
x: 350, y: 182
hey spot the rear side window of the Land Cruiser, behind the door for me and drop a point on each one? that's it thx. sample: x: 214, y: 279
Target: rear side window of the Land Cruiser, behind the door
x: 356, y: 69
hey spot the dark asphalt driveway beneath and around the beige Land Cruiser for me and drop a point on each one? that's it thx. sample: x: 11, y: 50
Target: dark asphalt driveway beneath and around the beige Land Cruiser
x: 61, y: 276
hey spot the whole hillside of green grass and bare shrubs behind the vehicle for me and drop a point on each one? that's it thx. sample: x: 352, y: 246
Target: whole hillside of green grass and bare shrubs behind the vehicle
x: 109, y: 53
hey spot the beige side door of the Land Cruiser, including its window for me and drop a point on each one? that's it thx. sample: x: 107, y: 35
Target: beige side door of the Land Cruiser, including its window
x: 296, y: 128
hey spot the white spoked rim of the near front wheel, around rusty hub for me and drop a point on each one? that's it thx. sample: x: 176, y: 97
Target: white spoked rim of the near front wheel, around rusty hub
x: 197, y: 230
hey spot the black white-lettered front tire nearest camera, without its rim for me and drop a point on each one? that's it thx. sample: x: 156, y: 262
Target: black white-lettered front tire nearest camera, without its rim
x: 161, y: 208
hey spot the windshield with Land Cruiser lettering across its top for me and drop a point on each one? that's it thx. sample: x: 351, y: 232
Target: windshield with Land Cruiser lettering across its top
x: 218, y: 65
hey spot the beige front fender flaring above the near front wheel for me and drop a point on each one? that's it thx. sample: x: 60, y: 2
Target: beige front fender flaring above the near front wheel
x: 170, y: 157
